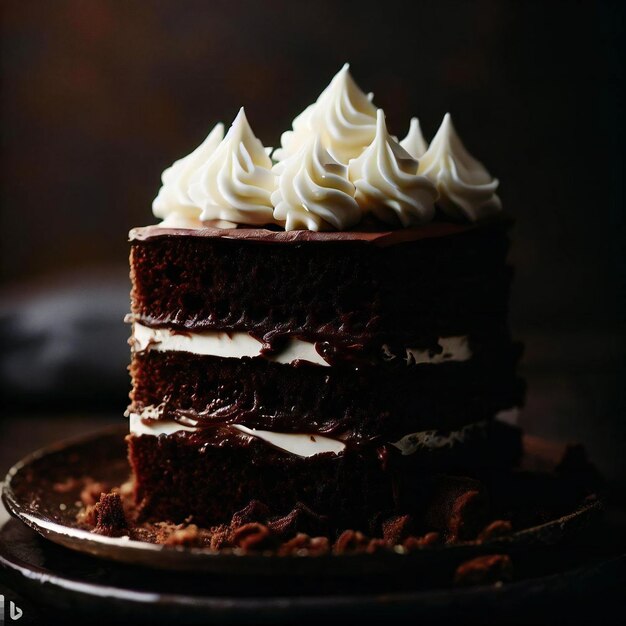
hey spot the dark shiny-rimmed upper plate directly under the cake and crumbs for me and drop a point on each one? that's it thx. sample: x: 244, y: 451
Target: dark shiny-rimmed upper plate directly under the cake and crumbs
x: 29, y: 495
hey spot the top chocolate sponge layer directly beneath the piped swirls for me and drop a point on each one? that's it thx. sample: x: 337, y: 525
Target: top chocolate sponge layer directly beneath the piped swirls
x: 346, y: 291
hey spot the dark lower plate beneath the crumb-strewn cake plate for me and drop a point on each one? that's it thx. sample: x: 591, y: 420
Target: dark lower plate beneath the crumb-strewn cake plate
x: 53, y: 581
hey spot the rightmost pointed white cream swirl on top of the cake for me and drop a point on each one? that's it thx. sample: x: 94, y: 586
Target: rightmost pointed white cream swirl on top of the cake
x: 466, y: 189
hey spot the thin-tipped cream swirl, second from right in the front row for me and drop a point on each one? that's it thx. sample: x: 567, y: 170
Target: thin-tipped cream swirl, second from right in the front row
x: 387, y: 183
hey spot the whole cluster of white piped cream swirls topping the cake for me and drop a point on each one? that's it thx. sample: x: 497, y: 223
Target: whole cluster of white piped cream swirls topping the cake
x: 337, y: 164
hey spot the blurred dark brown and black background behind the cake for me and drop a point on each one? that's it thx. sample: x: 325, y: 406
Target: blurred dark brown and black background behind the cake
x: 99, y: 96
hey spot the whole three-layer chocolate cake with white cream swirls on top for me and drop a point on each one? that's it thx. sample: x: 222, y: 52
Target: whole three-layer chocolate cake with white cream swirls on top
x: 326, y: 328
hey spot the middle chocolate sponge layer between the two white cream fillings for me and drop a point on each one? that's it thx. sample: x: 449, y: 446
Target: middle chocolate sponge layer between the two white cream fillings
x: 384, y: 401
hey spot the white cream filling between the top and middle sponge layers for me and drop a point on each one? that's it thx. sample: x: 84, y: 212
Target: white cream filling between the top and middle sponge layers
x: 240, y: 344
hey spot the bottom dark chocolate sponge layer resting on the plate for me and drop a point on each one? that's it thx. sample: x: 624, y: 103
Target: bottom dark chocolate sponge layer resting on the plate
x: 179, y: 477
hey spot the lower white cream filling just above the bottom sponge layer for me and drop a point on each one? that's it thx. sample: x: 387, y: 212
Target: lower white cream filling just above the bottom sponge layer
x: 305, y: 445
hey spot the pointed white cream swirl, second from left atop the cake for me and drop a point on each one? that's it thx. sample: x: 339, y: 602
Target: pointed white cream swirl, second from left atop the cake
x: 236, y: 183
